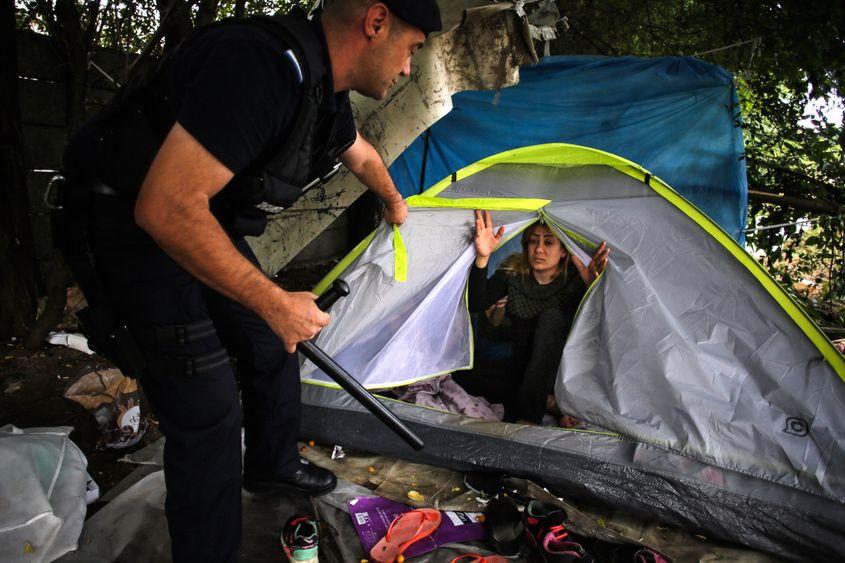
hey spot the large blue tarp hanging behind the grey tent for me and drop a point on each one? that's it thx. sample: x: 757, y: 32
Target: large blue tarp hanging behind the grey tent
x: 676, y: 116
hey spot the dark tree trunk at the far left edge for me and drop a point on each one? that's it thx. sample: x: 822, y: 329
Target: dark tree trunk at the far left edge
x: 18, y: 268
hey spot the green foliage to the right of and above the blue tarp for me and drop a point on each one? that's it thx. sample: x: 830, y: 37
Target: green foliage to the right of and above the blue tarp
x: 784, y: 54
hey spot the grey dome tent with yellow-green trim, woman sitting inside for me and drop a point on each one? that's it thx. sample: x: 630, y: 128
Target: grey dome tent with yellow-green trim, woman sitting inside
x: 718, y: 400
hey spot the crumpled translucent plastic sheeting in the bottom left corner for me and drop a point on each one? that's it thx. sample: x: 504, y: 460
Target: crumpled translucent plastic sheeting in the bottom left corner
x: 43, y: 484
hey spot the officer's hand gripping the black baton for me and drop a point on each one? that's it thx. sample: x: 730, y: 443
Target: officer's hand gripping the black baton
x: 297, y: 318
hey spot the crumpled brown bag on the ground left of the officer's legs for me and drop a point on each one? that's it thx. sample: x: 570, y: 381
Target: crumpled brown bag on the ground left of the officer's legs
x: 115, y: 402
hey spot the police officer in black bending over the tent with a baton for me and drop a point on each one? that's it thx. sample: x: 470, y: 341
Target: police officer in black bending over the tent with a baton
x: 226, y: 131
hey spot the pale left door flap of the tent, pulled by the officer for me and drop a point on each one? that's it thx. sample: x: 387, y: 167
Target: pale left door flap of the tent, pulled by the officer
x: 418, y: 328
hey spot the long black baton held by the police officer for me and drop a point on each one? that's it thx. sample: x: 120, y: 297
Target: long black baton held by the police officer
x: 349, y: 384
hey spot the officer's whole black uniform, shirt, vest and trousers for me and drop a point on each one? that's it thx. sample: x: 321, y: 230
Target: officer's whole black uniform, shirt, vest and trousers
x: 240, y: 89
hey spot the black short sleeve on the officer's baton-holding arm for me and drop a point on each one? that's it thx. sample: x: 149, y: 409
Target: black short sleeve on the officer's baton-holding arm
x: 241, y: 98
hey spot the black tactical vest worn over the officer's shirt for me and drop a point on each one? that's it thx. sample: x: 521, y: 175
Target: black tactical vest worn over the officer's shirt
x: 301, y: 162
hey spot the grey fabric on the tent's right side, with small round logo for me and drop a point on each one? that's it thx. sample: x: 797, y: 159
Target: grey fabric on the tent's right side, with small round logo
x: 717, y: 346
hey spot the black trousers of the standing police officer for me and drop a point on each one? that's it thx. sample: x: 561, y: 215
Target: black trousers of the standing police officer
x: 190, y: 385
